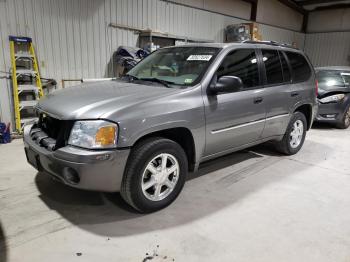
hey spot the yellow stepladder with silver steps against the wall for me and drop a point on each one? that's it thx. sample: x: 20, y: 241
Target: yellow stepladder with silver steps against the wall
x: 26, y: 82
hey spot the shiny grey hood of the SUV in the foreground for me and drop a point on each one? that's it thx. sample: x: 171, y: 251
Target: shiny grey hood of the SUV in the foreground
x: 94, y: 100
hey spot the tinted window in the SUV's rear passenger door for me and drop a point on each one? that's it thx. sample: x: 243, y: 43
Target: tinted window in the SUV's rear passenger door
x: 273, y: 66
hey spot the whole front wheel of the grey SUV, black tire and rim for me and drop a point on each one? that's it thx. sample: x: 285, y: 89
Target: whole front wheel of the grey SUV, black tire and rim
x: 144, y: 168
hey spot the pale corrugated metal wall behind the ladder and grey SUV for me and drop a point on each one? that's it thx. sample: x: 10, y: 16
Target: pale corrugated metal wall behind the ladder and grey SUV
x: 73, y: 40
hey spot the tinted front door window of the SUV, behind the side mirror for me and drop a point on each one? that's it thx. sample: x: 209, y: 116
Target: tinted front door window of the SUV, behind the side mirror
x: 243, y: 64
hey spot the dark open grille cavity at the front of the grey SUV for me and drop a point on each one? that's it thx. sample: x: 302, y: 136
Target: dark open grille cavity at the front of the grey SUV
x: 50, y: 132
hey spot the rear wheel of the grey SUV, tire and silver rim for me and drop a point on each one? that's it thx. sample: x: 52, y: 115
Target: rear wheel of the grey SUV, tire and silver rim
x: 286, y: 145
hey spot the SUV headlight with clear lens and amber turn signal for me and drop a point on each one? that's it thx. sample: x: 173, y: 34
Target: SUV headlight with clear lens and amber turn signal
x: 94, y: 134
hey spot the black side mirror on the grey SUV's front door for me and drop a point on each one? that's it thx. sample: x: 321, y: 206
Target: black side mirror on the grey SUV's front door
x: 226, y: 84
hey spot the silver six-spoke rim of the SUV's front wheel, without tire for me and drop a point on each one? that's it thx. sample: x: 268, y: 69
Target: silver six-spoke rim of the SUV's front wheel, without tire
x: 160, y: 177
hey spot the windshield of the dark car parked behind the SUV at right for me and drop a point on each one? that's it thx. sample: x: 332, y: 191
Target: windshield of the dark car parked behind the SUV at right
x: 331, y: 79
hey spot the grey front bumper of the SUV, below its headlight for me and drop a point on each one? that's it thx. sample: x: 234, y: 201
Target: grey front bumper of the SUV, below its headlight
x: 100, y: 170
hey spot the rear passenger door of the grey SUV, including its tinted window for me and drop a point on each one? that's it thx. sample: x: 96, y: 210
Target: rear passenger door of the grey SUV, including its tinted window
x: 279, y: 96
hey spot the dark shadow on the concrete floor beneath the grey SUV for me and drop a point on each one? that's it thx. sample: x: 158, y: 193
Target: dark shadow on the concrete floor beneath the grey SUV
x: 108, y: 215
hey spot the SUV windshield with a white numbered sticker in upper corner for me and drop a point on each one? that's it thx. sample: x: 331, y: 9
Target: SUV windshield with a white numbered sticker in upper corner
x: 177, y: 65
